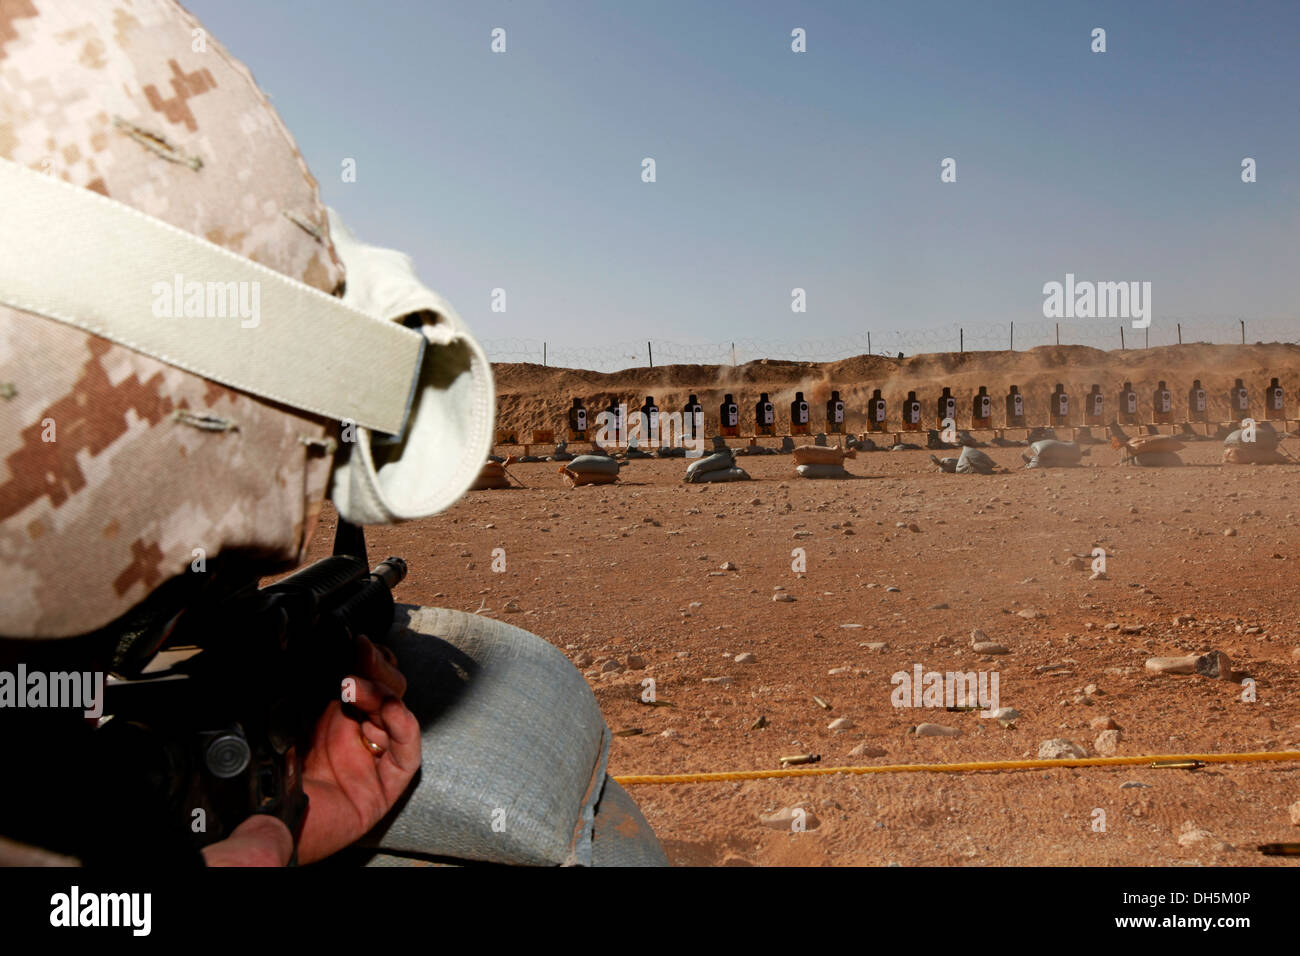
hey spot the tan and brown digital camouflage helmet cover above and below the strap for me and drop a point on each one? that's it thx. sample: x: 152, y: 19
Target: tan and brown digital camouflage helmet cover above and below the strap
x: 110, y: 482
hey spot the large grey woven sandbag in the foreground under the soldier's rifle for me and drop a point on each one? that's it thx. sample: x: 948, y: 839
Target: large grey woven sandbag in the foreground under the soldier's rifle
x: 515, y: 754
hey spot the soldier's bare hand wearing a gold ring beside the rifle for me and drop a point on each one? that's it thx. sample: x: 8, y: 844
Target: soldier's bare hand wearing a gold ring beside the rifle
x: 357, y: 769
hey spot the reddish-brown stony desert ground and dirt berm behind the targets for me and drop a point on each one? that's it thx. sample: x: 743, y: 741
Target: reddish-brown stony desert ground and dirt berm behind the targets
x: 903, y: 563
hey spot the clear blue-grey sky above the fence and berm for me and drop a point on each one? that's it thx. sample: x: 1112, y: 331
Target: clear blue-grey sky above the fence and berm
x: 781, y: 170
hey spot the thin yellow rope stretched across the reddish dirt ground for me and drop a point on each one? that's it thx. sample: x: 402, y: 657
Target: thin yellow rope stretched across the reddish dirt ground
x: 957, y: 768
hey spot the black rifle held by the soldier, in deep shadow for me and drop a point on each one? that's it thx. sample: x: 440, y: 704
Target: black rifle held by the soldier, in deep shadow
x: 223, y: 730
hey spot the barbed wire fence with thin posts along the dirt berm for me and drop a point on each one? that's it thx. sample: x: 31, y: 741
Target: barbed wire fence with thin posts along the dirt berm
x: 612, y: 357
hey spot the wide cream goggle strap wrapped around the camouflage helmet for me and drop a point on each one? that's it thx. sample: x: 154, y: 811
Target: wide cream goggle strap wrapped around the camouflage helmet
x: 105, y: 267
